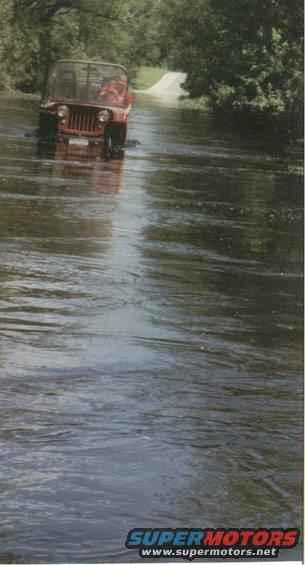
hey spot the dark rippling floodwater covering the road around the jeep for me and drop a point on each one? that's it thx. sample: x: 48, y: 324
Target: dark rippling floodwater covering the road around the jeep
x: 151, y: 336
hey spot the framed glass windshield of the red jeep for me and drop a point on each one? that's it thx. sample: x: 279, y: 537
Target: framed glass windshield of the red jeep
x: 83, y: 82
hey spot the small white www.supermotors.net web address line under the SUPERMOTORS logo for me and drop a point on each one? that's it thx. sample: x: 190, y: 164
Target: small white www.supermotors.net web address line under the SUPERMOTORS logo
x: 193, y: 553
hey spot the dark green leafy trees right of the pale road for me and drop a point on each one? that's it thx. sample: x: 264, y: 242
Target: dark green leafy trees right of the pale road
x: 244, y: 55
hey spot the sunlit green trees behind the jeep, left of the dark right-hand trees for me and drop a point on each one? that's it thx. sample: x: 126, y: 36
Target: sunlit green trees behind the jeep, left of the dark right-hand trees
x: 34, y: 33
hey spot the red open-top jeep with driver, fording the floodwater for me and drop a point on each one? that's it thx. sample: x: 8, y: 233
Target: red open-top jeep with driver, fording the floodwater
x: 86, y: 102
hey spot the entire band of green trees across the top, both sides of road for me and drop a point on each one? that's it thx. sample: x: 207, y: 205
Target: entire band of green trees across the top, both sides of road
x: 242, y: 56
